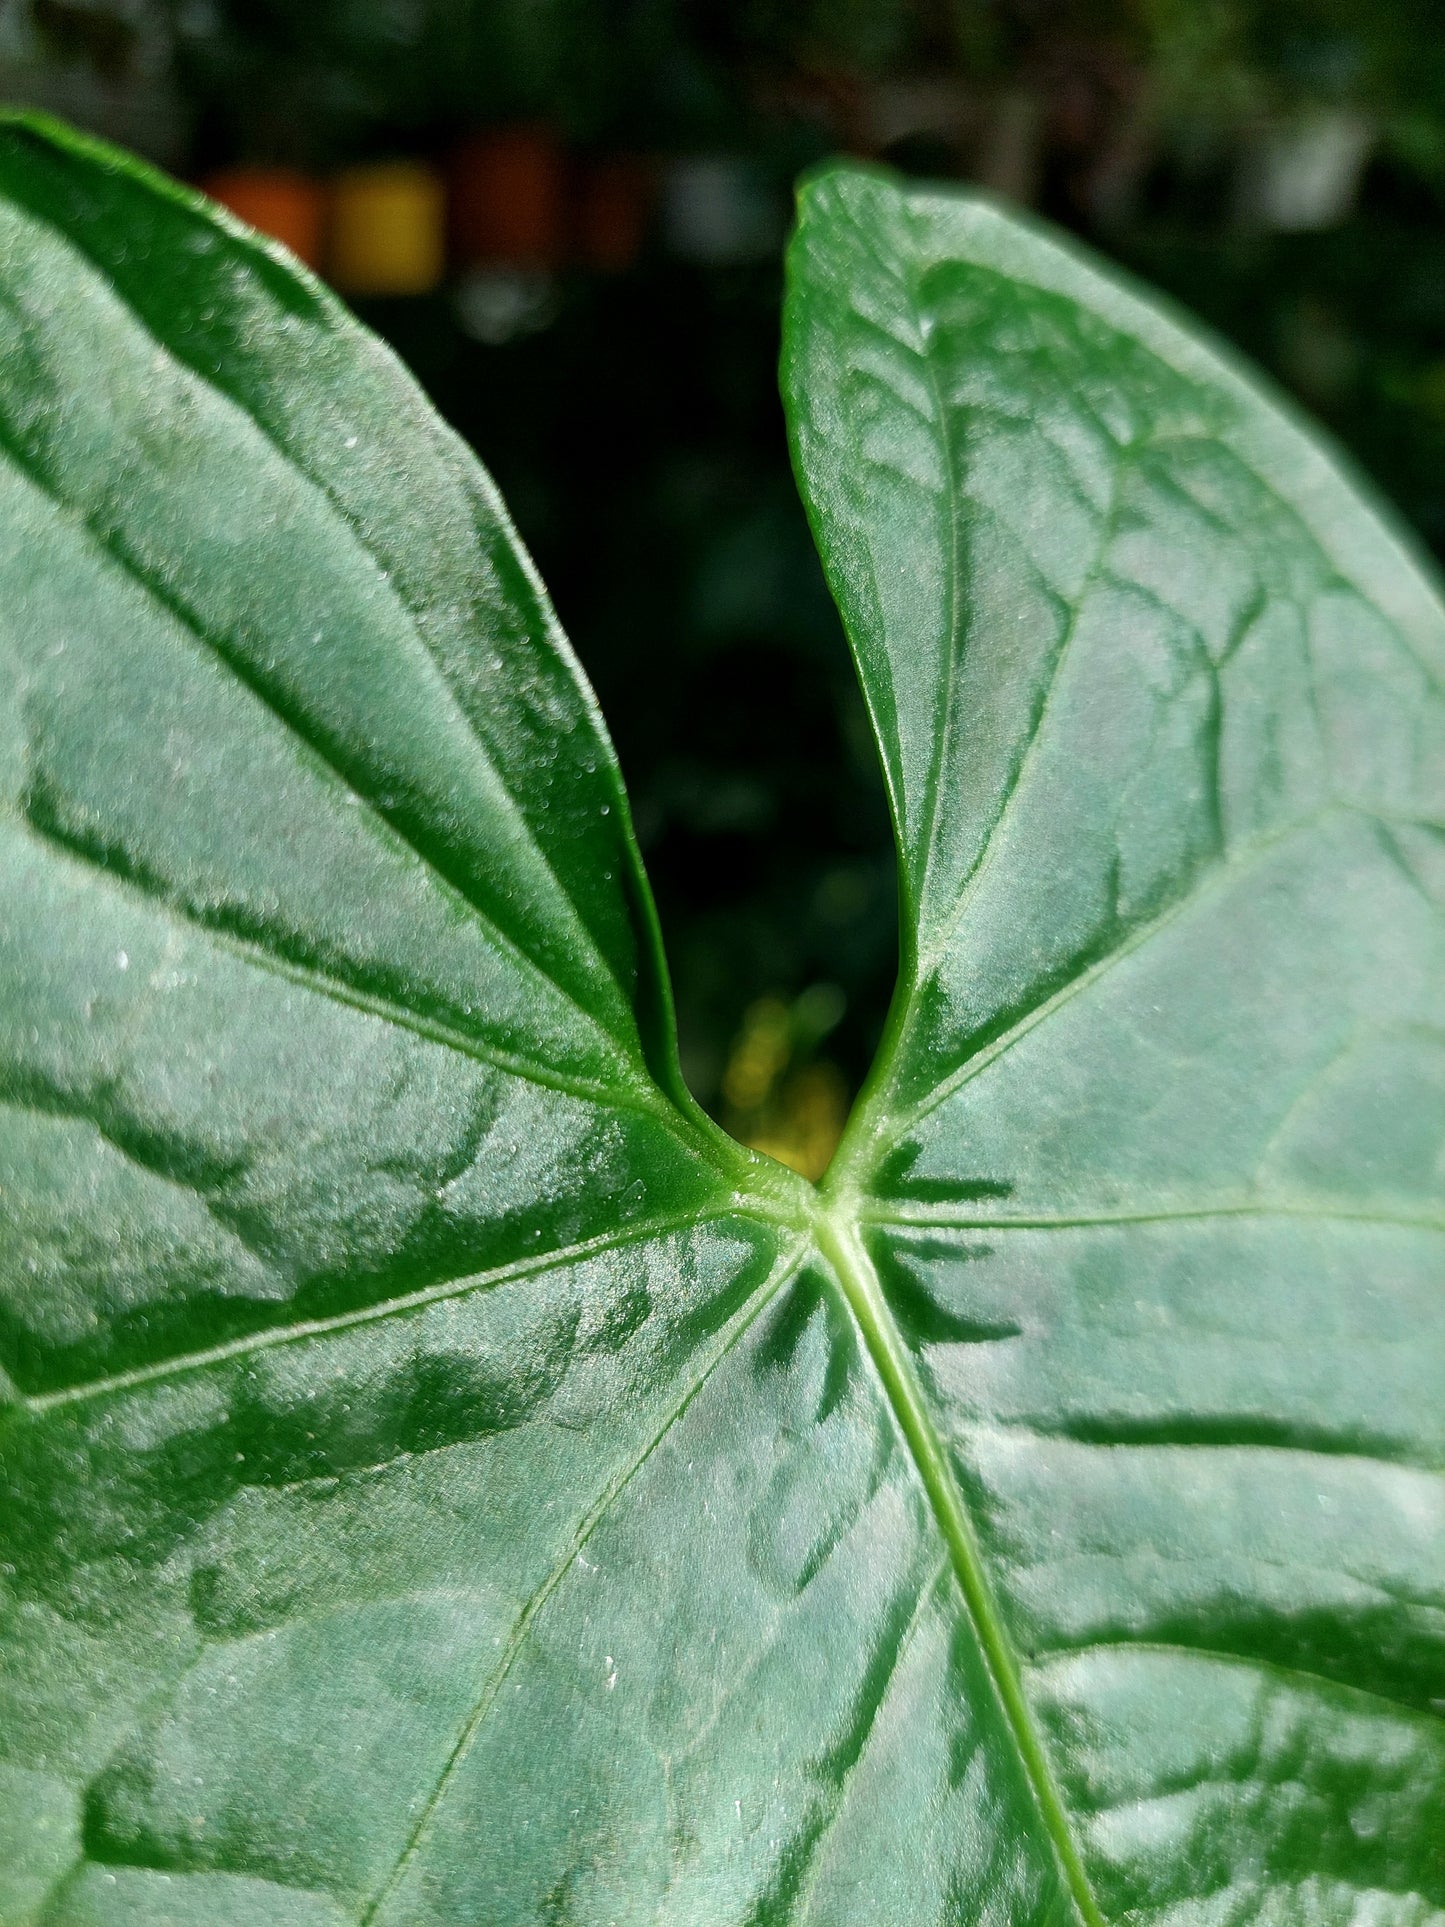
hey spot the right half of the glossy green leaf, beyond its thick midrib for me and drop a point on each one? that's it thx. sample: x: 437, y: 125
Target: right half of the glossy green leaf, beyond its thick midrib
x: 1153, y: 1167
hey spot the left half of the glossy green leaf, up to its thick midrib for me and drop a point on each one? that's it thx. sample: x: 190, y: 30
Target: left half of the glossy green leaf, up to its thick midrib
x: 440, y: 1477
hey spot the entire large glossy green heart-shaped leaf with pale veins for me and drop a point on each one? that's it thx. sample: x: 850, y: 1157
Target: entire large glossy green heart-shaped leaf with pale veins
x: 446, y: 1483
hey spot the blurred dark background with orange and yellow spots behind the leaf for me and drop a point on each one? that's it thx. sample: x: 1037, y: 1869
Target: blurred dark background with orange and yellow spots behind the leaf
x: 567, y: 217
